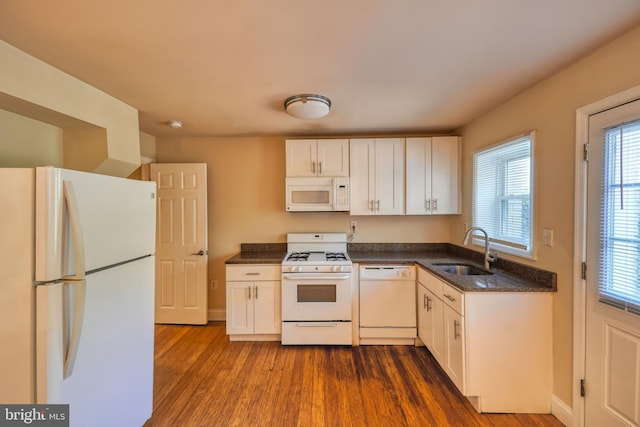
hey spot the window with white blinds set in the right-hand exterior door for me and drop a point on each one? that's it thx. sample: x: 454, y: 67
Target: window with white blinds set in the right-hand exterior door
x: 620, y: 213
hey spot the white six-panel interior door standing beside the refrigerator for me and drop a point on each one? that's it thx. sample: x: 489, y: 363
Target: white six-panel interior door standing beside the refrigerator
x: 181, y: 243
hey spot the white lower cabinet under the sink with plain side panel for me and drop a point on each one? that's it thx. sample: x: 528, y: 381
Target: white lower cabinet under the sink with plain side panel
x: 494, y: 346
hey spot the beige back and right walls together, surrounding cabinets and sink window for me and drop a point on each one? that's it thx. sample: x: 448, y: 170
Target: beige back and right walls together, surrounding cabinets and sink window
x: 246, y: 181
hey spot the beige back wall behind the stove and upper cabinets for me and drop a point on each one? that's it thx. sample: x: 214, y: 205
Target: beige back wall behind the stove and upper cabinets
x: 246, y: 202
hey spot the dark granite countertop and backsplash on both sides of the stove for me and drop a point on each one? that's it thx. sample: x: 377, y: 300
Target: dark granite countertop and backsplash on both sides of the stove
x: 507, y: 276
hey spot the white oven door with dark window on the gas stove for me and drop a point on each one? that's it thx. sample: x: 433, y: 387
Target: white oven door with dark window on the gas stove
x: 316, y: 297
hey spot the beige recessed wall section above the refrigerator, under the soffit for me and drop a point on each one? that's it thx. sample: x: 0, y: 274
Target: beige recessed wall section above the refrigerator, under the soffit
x: 25, y: 142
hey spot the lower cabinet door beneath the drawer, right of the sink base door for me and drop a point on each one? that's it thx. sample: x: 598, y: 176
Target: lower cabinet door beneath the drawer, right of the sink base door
x: 454, y: 347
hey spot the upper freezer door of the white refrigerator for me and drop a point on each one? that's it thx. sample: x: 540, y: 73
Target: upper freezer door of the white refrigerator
x: 114, y: 216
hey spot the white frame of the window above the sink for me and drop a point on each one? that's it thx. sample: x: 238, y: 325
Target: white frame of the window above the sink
x: 499, y: 243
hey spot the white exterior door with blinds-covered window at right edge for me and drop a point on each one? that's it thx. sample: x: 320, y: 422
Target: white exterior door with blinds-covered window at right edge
x: 612, y: 366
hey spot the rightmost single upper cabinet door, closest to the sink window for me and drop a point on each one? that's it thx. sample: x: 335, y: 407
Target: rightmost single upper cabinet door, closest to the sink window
x: 445, y: 175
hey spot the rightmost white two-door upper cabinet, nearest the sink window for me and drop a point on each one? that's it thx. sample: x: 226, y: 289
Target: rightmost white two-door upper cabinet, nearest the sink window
x: 433, y: 175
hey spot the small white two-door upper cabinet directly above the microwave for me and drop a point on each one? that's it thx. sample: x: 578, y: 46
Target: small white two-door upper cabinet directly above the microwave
x: 317, y: 157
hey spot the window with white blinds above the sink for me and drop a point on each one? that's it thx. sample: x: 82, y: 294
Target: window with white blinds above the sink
x: 502, y: 198
